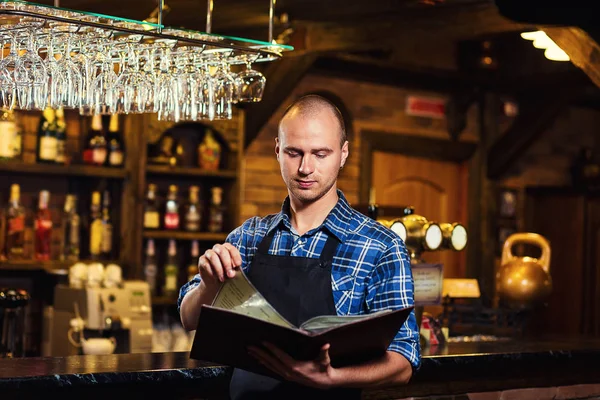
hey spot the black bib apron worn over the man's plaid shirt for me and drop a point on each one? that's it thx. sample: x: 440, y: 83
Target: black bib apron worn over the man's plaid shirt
x: 299, y: 288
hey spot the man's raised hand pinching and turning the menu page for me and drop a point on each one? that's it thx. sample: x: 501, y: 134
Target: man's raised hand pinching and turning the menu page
x: 218, y: 263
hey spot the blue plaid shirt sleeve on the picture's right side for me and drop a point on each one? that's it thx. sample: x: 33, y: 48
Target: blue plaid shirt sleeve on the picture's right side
x: 391, y: 286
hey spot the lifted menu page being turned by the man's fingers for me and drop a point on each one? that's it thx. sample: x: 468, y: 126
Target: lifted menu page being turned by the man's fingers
x: 239, y: 295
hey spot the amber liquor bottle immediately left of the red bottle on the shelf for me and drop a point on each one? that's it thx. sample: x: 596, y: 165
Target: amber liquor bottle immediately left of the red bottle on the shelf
x: 15, y: 225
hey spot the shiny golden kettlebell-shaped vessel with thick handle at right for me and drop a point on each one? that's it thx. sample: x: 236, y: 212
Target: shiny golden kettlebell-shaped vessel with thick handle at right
x: 524, y: 281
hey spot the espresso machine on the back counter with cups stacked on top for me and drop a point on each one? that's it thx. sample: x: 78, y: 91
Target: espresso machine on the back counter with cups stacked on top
x: 123, y: 314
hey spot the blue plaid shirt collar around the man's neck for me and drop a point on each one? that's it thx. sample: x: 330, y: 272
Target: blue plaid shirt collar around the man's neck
x: 337, y: 221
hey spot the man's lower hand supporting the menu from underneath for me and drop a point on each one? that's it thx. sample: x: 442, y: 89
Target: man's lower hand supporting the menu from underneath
x: 317, y: 373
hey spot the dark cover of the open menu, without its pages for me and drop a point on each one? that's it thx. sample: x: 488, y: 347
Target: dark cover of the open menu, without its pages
x: 222, y: 336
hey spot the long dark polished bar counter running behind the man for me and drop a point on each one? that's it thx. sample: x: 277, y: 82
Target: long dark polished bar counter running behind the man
x: 456, y: 369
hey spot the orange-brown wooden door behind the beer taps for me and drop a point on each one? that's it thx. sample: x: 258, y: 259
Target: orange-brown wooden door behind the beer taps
x: 436, y: 189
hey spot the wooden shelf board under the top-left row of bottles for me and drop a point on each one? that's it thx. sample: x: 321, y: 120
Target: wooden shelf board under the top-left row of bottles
x: 68, y: 170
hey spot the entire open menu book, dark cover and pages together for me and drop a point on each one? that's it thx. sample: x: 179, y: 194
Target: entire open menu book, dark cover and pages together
x: 240, y: 316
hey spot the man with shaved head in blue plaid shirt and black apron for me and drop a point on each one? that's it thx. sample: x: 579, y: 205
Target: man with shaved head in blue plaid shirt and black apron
x: 317, y: 256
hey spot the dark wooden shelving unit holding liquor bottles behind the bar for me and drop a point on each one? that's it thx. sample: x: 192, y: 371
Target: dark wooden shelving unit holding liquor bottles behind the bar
x: 128, y: 186
